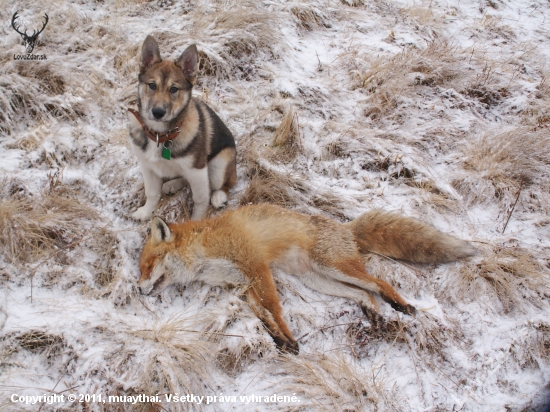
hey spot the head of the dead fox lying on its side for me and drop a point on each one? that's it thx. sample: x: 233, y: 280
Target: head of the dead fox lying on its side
x: 158, y: 264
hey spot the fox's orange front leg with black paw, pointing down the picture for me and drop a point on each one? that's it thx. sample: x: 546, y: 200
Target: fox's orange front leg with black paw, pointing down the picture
x: 264, y: 301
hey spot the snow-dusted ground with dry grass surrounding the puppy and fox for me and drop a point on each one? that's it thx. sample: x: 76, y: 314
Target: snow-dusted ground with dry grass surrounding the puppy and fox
x: 439, y: 110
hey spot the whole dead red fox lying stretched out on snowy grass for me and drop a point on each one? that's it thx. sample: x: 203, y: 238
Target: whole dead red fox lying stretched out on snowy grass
x: 242, y: 246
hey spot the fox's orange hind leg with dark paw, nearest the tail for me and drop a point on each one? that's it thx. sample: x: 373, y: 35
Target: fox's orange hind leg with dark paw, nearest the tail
x: 353, y: 272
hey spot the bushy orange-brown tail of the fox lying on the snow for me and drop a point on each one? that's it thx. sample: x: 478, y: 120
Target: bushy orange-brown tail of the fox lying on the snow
x: 399, y: 237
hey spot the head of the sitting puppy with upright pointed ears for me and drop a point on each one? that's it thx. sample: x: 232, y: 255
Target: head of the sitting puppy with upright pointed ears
x: 165, y: 86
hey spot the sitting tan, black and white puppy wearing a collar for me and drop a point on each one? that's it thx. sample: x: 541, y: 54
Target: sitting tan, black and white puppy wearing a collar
x: 177, y: 137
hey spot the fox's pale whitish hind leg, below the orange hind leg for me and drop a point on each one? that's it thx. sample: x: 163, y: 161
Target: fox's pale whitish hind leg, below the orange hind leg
x: 329, y: 286
